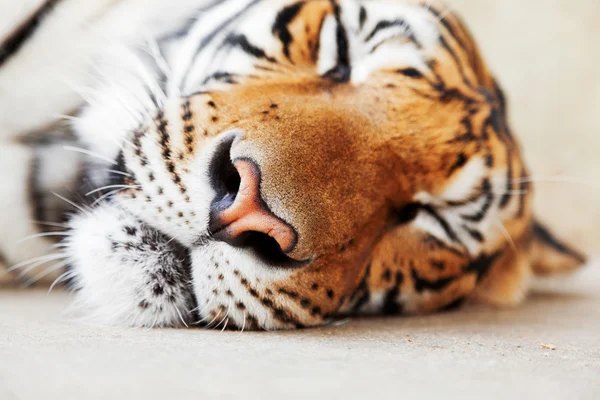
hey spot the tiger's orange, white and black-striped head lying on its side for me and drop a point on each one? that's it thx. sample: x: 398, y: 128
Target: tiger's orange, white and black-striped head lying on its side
x: 304, y: 160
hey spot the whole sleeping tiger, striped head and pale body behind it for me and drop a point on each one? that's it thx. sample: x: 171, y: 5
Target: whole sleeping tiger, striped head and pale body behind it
x: 261, y: 164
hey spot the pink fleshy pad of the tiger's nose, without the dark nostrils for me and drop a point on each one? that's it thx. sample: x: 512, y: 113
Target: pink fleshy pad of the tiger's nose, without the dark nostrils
x: 249, y: 213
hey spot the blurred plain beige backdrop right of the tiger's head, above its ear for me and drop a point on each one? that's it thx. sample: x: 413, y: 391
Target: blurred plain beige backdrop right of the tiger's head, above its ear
x: 546, y: 55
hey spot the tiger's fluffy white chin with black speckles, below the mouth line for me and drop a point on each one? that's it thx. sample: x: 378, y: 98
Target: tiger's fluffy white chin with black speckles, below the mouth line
x: 127, y: 273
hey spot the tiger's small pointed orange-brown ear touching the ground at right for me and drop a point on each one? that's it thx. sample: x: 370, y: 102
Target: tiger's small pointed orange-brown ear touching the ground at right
x: 550, y: 255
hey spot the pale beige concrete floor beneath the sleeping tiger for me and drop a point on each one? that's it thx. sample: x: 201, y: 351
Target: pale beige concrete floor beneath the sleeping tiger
x: 476, y: 353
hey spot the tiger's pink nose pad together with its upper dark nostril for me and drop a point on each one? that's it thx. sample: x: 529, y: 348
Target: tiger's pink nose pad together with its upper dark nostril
x: 239, y: 209
